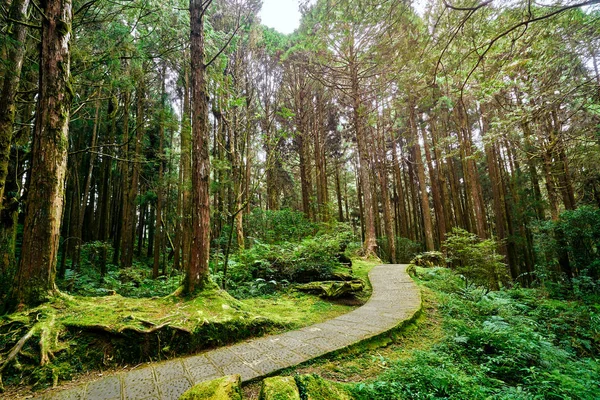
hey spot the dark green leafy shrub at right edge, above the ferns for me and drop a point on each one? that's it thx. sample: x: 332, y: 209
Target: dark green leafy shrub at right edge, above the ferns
x: 577, y: 233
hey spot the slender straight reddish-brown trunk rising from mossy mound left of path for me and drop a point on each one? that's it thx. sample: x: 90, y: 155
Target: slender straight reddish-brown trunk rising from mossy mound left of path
x: 197, y: 269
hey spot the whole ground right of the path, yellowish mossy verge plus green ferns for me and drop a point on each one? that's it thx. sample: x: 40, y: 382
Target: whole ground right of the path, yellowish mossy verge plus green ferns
x: 470, y: 344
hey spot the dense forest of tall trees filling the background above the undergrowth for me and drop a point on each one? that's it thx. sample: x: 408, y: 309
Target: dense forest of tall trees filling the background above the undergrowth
x: 397, y: 127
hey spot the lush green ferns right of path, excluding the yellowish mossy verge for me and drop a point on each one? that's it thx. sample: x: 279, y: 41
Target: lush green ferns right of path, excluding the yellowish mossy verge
x: 510, y: 344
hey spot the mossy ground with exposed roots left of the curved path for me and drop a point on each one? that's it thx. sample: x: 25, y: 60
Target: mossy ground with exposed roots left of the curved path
x: 83, y: 334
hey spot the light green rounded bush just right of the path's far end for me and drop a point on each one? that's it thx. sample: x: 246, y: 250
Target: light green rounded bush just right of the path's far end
x: 476, y: 260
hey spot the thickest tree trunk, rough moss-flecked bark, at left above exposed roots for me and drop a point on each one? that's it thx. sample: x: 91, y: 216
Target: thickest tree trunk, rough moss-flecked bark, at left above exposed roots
x: 34, y: 281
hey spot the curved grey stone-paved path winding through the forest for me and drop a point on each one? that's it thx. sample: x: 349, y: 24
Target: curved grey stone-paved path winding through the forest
x: 395, y: 299
